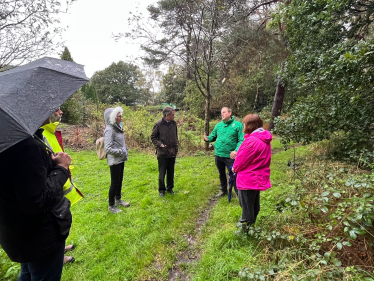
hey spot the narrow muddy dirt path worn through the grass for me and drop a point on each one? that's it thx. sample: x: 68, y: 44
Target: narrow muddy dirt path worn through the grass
x: 192, y: 253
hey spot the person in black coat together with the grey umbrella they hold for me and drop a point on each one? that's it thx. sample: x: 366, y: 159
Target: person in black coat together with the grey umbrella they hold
x: 35, y: 215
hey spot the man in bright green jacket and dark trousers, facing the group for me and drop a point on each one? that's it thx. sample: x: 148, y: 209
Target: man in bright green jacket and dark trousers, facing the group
x: 228, y: 135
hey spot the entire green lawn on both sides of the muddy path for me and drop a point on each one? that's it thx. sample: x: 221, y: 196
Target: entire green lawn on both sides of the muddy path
x: 142, y: 242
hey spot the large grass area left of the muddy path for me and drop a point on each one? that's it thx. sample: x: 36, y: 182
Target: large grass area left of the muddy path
x: 141, y: 243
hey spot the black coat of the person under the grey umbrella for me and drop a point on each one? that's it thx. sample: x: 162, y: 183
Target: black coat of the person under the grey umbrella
x: 35, y: 216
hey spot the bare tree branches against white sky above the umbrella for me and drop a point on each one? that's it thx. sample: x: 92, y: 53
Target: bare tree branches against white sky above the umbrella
x: 29, y: 29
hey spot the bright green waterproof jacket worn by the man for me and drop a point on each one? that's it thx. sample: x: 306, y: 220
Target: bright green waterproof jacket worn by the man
x: 228, y: 137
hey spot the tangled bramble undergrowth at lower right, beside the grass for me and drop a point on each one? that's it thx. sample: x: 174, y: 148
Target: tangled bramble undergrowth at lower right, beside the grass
x: 321, y: 230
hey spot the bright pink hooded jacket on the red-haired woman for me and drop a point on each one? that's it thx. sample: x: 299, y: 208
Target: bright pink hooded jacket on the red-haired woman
x: 252, y: 162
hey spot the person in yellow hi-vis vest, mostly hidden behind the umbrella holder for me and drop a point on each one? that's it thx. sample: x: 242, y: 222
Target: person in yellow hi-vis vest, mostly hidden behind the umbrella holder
x: 53, y: 139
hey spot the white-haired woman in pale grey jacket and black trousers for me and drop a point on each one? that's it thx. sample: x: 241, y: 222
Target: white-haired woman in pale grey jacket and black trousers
x: 116, y: 150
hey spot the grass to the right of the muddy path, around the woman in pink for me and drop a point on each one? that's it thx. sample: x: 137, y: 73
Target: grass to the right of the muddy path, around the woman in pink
x: 224, y: 253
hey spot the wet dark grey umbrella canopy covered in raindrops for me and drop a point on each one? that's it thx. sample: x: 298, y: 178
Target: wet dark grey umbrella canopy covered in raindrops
x: 30, y: 93
